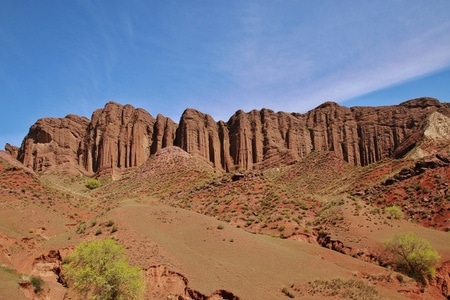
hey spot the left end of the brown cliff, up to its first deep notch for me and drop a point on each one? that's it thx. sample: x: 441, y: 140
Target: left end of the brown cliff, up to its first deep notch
x: 116, y: 137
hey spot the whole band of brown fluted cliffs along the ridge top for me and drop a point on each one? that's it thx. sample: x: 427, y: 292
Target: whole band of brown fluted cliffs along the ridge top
x: 120, y: 137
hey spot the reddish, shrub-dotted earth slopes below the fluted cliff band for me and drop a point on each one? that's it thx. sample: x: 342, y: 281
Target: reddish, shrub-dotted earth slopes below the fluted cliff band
x: 193, y: 232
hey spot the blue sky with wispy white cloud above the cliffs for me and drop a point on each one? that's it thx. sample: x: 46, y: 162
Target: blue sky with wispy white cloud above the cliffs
x: 60, y: 57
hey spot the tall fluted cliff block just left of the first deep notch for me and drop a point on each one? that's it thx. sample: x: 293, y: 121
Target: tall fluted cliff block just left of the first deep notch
x: 123, y: 137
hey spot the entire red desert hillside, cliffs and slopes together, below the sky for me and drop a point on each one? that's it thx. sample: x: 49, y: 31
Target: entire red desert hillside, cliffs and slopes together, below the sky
x: 268, y: 205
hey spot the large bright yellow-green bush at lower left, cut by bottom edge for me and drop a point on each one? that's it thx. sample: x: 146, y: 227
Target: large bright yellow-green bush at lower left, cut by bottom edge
x: 99, y: 270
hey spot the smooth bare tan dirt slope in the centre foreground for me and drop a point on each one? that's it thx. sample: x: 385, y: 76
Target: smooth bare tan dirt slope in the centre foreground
x: 215, y: 255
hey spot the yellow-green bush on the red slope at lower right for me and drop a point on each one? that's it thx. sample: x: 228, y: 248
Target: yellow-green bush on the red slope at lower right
x: 413, y: 255
